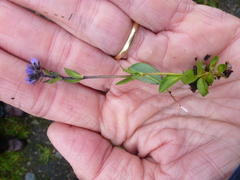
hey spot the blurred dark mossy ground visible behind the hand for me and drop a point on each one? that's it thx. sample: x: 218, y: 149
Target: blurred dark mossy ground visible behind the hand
x: 40, y: 160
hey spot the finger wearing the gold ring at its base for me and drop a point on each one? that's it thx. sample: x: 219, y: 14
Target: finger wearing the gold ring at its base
x: 99, y: 23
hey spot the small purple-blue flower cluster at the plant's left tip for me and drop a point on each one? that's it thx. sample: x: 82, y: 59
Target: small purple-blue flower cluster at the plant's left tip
x: 34, y: 71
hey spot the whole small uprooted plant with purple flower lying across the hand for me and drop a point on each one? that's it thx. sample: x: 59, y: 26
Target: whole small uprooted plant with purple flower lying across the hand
x: 200, y: 77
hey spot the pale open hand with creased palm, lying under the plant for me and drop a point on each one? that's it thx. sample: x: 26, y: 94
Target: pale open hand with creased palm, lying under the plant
x: 161, y: 141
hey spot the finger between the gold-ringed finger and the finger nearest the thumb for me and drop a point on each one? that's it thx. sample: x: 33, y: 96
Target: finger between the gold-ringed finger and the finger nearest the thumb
x: 26, y: 35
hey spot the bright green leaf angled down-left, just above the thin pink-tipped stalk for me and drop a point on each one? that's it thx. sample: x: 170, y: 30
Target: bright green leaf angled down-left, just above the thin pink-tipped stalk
x: 167, y: 82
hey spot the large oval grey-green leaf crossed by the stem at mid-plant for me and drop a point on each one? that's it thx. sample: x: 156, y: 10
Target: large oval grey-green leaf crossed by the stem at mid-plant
x: 146, y: 68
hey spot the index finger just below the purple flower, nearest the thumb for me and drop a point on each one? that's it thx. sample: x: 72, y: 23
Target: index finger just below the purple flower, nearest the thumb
x: 69, y: 103
